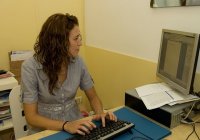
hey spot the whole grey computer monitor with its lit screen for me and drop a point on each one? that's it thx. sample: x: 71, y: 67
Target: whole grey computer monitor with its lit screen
x: 178, y: 59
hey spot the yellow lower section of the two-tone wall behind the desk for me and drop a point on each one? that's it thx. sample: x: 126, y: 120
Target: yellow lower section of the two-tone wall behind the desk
x: 114, y: 73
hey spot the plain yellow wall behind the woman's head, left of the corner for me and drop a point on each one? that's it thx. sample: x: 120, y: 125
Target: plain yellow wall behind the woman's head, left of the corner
x: 21, y: 21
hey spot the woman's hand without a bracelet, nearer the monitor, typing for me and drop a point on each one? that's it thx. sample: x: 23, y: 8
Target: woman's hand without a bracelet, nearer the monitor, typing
x: 103, y: 116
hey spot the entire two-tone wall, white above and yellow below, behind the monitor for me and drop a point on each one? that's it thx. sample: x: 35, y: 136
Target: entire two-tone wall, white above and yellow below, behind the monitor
x: 123, y: 40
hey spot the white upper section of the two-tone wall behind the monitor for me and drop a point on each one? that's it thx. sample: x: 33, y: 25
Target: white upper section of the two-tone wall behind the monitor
x: 131, y: 27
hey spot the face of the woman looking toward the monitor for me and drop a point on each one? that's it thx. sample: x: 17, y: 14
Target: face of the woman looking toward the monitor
x: 75, y: 41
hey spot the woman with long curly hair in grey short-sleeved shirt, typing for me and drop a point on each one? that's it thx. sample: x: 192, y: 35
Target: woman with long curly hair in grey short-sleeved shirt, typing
x: 50, y: 80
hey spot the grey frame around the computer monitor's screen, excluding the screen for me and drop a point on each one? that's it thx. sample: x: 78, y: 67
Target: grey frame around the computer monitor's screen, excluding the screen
x: 189, y: 86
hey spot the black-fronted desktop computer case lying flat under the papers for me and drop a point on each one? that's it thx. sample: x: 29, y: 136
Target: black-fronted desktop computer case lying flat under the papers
x: 169, y: 116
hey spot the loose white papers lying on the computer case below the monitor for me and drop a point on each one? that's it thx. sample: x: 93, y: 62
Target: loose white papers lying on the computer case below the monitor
x: 159, y: 94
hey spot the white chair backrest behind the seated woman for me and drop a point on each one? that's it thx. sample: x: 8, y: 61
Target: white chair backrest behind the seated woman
x: 18, y: 118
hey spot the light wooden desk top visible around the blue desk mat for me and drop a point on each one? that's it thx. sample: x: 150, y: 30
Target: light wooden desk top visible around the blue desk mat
x: 178, y: 133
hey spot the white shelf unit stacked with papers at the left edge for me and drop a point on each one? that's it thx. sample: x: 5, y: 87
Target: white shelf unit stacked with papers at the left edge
x: 6, y: 85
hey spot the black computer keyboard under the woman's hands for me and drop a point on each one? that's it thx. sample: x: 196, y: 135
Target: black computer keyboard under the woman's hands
x: 111, y: 130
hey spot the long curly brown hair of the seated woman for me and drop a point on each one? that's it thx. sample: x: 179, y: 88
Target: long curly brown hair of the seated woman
x: 51, y: 46
